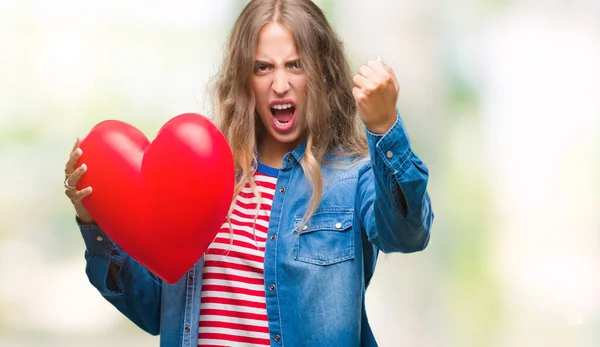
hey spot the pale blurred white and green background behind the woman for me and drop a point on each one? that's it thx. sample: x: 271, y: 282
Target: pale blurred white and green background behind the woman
x: 501, y: 99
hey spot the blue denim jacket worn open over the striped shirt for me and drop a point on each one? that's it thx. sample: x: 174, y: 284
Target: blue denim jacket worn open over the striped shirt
x: 316, y: 277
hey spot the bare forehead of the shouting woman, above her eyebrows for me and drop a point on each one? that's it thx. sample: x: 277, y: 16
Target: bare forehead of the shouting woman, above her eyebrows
x: 275, y: 42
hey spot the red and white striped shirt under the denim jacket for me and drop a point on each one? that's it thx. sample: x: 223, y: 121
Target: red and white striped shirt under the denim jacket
x: 233, y: 309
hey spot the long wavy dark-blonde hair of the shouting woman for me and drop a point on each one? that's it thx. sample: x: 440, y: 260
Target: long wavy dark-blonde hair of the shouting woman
x: 331, y: 114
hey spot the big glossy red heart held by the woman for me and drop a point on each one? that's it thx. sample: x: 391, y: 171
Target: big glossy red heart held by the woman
x: 161, y: 202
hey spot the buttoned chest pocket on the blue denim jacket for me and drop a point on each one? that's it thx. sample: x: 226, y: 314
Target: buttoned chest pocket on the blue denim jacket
x: 326, y: 239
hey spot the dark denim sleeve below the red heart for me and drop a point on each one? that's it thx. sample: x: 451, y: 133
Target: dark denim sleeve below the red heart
x: 135, y: 292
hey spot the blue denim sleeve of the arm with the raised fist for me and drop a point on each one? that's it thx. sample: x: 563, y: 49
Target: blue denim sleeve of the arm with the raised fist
x: 394, y: 204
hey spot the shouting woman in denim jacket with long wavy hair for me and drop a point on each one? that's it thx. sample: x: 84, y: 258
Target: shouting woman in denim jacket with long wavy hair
x: 317, y: 197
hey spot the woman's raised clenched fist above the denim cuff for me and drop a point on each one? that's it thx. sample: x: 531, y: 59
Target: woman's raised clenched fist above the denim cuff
x: 376, y: 92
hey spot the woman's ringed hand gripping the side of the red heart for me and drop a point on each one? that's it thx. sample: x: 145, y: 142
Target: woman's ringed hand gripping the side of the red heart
x: 72, y: 176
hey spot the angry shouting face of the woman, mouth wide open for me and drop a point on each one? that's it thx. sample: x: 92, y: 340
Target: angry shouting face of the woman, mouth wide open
x: 279, y: 87
